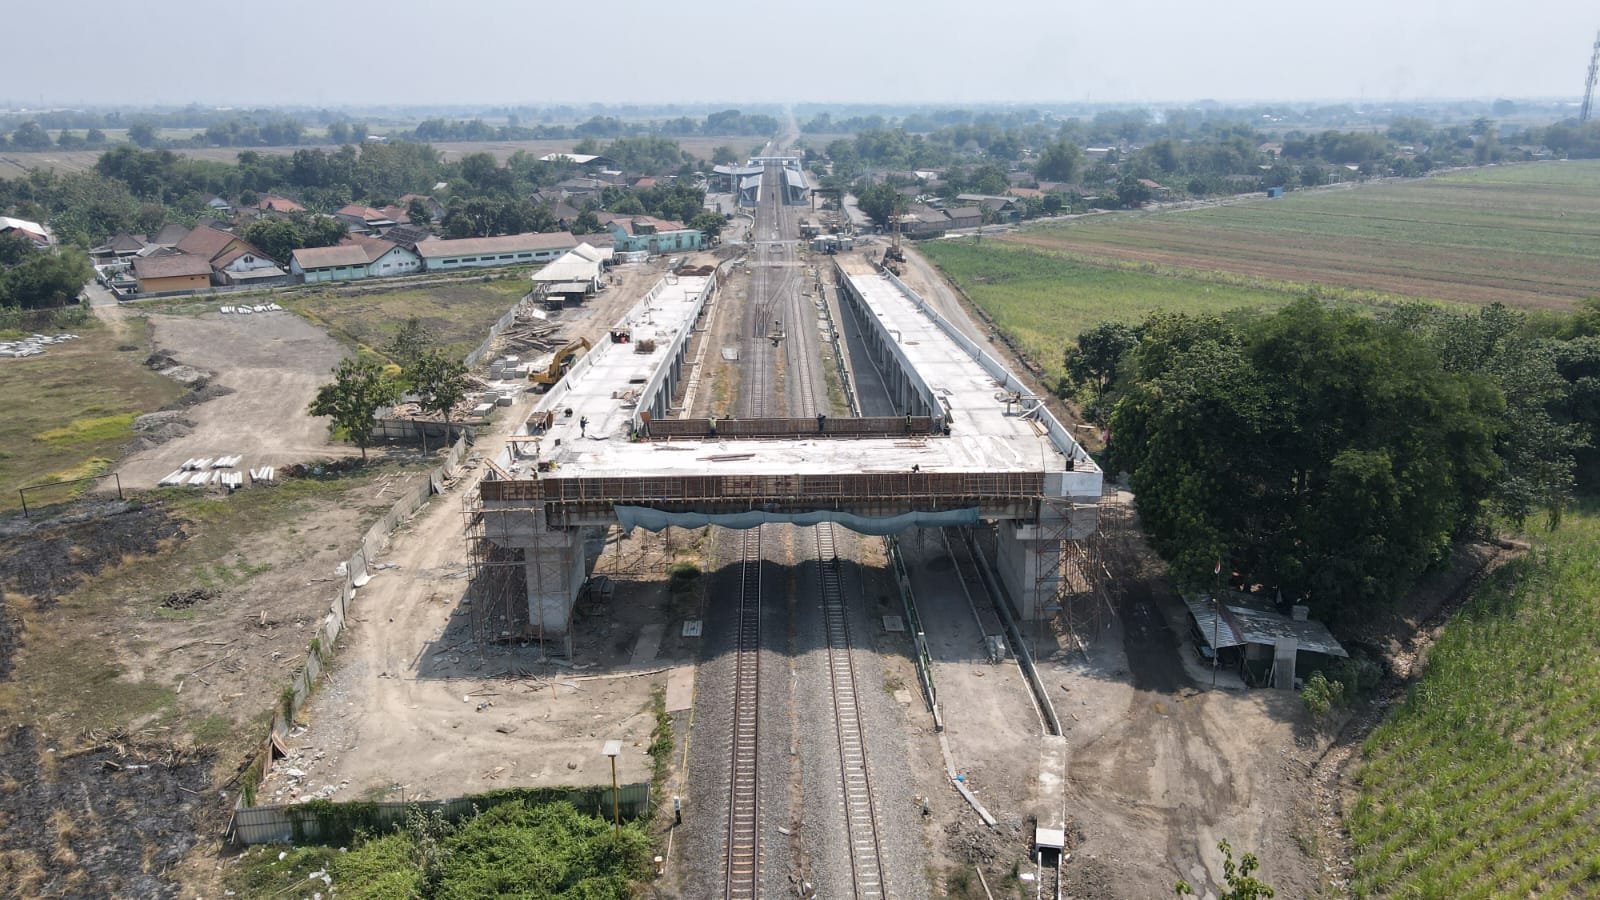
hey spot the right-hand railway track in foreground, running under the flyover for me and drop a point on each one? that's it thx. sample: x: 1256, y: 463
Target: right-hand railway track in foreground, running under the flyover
x: 862, y: 821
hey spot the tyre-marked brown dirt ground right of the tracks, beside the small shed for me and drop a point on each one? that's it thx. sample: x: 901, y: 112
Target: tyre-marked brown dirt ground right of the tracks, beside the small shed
x: 1161, y: 769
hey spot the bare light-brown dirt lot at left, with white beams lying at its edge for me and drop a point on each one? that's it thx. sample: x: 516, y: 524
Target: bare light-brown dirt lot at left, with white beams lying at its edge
x: 263, y: 371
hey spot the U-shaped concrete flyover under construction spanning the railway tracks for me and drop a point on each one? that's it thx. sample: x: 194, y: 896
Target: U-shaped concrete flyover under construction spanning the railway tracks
x: 972, y: 444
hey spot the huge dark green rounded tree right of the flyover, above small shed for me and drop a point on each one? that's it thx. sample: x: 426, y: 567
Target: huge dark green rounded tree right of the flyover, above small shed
x: 1313, y: 451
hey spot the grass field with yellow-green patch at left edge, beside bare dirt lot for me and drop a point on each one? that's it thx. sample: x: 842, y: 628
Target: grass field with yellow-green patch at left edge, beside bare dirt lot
x: 71, y: 411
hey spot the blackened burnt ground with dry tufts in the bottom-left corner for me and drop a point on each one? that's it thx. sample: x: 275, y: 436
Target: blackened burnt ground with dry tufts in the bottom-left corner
x: 110, y: 819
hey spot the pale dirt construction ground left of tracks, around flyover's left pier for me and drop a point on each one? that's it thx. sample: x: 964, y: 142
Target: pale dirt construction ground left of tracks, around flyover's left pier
x: 418, y: 707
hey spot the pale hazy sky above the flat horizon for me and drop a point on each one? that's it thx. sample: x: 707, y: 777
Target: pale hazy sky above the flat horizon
x: 537, y: 52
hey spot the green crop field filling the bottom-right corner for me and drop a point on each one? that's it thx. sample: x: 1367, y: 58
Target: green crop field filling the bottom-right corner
x: 1487, y: 781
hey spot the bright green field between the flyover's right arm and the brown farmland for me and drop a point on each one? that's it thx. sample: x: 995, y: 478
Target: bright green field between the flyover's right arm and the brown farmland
x: 1044, y: 300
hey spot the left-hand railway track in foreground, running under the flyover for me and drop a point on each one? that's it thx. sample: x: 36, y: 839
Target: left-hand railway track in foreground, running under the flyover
x: 743, y: 846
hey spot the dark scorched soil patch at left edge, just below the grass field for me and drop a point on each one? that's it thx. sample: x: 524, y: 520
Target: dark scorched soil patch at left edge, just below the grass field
x: 49, y: 558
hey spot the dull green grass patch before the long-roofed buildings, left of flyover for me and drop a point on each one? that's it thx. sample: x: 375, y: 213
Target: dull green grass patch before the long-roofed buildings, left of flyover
x: 460, y: 315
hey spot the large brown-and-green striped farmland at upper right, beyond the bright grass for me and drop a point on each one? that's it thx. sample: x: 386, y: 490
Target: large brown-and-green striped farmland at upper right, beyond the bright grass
x: 1522, y: 235
